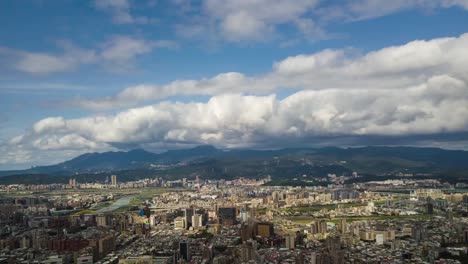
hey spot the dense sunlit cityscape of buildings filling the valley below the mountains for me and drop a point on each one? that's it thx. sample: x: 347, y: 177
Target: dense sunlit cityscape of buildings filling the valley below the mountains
x: 238, y: 221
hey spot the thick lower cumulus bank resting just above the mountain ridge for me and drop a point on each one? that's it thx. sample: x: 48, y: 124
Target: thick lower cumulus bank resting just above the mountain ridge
x: 438, y: 105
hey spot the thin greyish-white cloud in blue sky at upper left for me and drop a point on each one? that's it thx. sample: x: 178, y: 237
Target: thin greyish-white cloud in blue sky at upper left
x: 117, y: 53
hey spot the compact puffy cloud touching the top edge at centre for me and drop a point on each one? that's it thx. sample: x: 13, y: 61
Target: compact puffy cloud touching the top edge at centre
x: 238, y: 21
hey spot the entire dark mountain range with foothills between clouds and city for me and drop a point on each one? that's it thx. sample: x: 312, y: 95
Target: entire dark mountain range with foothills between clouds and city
x: 211, y: 162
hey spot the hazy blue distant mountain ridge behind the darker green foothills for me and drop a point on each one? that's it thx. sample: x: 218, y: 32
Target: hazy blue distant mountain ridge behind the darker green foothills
x: 367, y: 159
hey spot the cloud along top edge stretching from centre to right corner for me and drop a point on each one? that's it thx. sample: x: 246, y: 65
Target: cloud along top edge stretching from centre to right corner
x: 261, y: 20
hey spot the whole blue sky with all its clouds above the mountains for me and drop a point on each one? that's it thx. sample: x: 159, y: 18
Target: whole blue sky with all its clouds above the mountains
x: 143, y: 71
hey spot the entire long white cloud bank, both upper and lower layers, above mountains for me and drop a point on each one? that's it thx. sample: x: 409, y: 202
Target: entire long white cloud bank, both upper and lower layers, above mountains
x: 420, y: 88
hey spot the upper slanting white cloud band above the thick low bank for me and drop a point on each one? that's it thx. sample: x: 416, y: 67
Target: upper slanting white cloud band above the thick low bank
x: 397, y: 67
